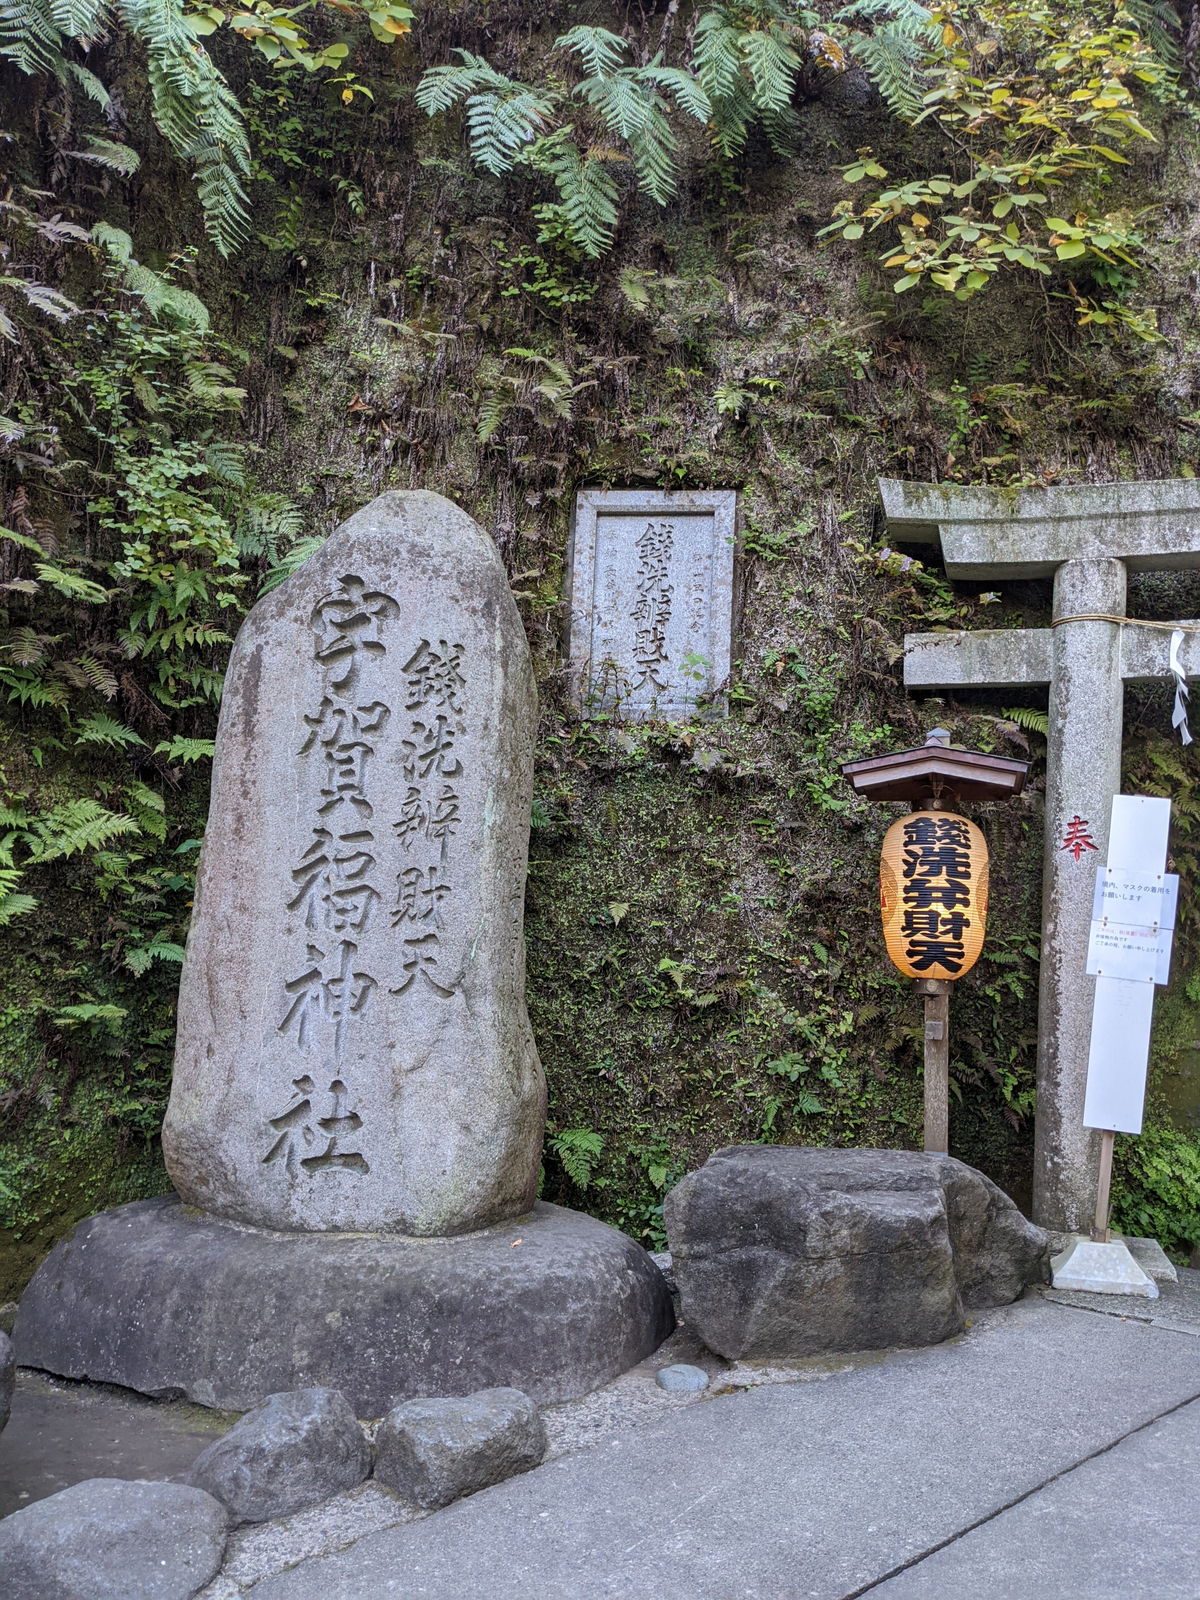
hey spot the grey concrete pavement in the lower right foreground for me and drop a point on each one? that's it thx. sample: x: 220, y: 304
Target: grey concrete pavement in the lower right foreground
x: 1049, y: 1454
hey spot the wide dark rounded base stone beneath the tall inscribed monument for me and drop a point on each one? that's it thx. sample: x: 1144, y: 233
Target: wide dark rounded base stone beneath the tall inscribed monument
x: 166, y: 1300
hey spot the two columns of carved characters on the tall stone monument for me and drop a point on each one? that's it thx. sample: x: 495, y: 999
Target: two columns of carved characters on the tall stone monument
x: 338, y: 884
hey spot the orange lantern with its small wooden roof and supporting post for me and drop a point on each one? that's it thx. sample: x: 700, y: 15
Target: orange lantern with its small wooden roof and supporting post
x: 934, y: 884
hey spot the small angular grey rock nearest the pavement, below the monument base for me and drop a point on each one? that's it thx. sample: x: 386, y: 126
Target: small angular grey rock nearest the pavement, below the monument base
x: 436, y: 1450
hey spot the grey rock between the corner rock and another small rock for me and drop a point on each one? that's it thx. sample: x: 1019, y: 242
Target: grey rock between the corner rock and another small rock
x: 294, y: 1452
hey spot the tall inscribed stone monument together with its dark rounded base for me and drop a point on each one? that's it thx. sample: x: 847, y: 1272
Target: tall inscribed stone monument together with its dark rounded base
x: 358, y: 1108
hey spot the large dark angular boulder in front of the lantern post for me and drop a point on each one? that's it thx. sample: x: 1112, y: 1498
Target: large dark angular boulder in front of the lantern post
x: 793, y: 1252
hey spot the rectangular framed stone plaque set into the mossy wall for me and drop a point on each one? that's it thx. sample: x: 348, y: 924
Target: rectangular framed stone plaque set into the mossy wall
x: 652, y: 598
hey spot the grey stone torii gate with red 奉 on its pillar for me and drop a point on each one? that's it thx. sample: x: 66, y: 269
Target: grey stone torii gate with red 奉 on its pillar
x: 1089, y: 538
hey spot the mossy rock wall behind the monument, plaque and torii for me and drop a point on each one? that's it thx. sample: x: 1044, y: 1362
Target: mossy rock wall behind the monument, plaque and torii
x: 705, y: 959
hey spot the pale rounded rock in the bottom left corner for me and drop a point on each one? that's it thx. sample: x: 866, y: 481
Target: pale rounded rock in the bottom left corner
x: 110, y: 1540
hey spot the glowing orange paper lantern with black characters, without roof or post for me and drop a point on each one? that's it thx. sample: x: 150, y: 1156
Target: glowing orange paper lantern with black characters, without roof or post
x: 934, y: 894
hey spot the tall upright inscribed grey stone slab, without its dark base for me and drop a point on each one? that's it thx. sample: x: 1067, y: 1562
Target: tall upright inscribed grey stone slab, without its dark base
x: 354, y: 1050
